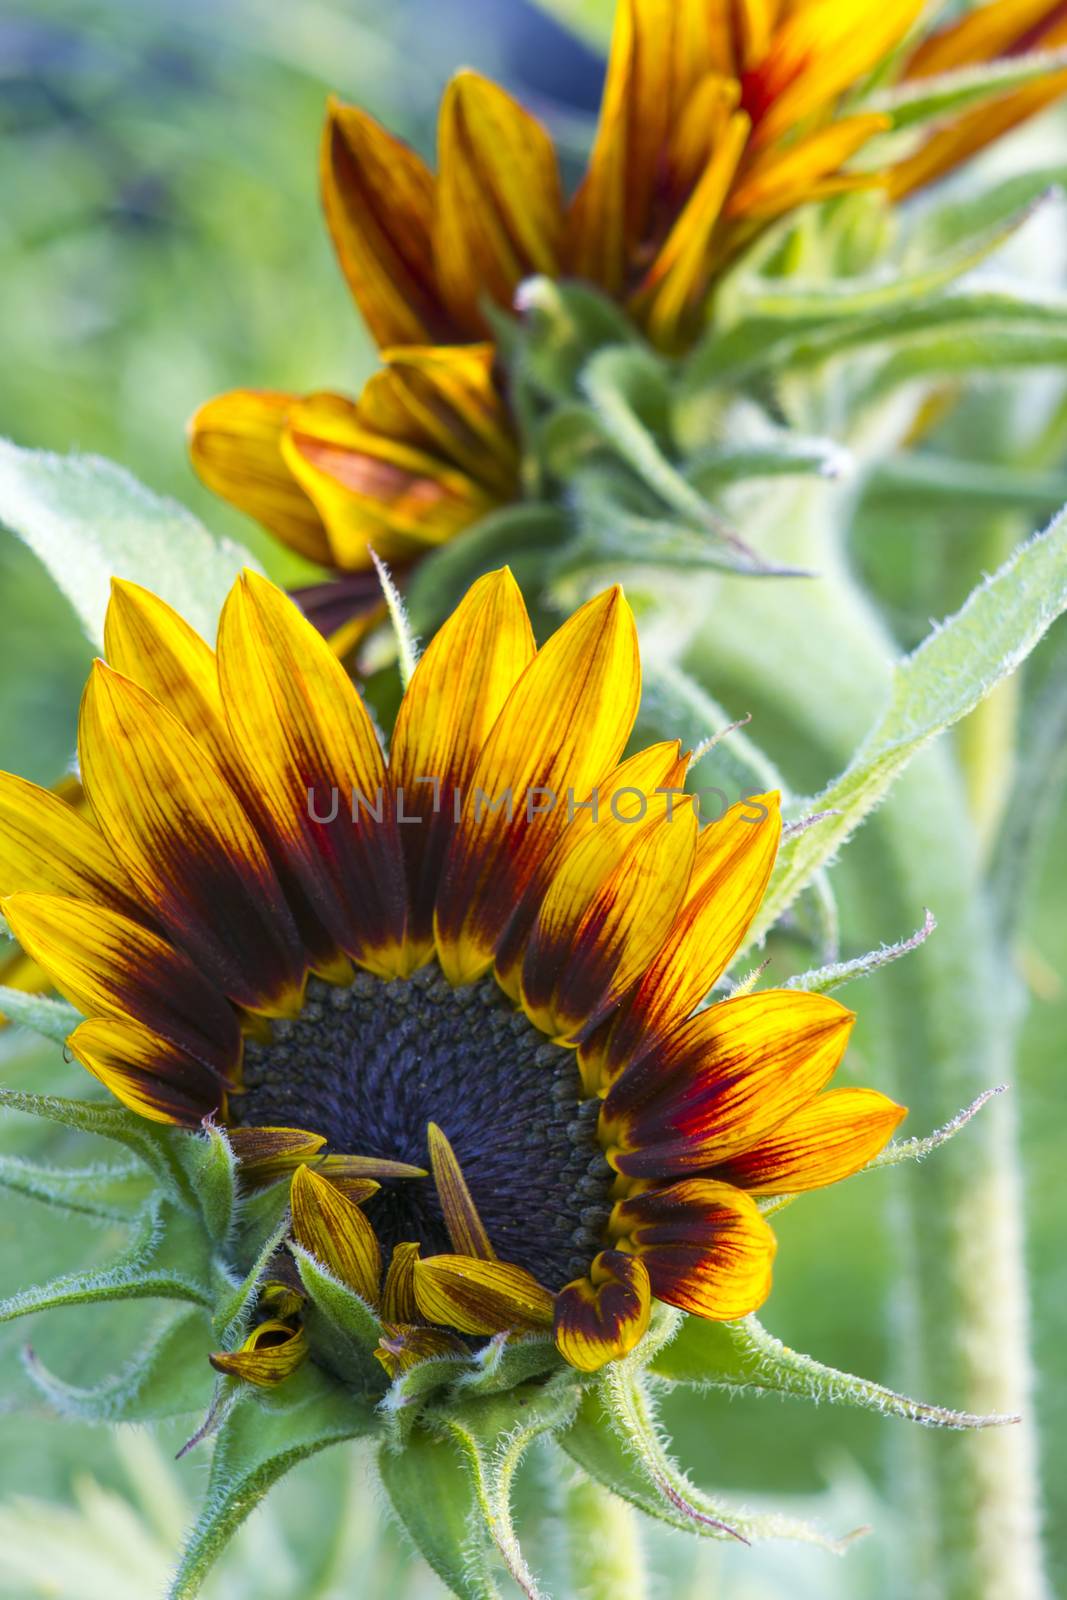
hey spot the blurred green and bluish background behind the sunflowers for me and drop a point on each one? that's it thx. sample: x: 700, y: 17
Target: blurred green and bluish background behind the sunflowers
x: 161, y: 241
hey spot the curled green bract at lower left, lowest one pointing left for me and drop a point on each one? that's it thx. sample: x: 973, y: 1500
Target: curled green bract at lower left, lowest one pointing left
x: 169, y: 1377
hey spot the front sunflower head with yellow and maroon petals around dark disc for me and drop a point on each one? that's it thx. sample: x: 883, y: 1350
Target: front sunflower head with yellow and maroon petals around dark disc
x: 454, y: 994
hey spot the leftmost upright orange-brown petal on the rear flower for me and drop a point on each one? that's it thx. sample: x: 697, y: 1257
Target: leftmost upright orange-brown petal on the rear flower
x: 380, y: 206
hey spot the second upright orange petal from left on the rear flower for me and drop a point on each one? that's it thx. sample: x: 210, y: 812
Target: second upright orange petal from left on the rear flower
x: 500, y: 209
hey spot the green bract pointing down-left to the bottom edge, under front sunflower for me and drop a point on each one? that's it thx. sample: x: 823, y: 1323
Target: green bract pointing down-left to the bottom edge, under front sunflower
x: 258, y: 1441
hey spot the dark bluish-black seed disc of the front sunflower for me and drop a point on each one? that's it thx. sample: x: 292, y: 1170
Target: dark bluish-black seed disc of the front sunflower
x: 372, y: 1065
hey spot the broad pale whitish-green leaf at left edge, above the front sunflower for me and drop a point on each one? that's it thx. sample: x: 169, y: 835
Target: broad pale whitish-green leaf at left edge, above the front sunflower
x: 89, y: 522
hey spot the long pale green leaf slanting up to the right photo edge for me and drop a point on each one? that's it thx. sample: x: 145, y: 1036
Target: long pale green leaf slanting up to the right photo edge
x: 951, y: 673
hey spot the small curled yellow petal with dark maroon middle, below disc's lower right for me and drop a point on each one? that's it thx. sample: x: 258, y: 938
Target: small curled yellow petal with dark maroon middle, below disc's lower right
x: 605, y: 1316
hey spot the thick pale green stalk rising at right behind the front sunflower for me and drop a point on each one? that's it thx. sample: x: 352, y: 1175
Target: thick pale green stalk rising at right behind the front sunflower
x: 815, y: 658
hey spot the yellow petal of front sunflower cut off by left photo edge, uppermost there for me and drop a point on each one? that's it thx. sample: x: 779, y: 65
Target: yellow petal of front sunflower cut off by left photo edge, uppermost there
x: 50, y: 849
